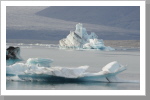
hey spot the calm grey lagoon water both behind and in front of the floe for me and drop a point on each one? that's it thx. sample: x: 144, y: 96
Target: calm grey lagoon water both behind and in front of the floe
x: 74, y: 58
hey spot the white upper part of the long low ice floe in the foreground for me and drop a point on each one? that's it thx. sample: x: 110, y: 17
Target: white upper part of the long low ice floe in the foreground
x: 26, y: 69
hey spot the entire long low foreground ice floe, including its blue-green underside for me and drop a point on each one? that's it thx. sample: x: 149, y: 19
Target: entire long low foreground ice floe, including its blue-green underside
x: 32, y: 71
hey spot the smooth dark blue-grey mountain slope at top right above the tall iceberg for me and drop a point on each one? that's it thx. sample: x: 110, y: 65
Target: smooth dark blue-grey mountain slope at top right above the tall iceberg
x: 127, y: 17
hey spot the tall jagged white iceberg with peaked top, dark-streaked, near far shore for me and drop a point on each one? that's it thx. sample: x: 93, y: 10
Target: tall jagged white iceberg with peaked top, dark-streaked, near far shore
x: 81, y: 39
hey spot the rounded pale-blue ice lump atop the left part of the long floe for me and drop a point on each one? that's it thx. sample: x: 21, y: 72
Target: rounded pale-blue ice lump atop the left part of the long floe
x: 41, y: 62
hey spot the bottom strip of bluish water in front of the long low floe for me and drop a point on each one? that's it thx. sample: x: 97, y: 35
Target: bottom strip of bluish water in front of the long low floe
x: 93, y: 85
